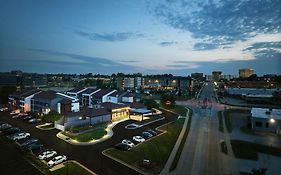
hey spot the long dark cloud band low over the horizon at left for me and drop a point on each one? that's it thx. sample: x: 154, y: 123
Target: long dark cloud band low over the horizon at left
x: 53, y: 60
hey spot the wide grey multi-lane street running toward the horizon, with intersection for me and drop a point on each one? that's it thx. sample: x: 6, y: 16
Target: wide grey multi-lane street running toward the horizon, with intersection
x: 201, y: 153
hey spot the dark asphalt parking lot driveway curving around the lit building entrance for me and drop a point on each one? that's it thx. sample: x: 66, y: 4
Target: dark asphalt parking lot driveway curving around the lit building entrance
x: 90, y: 156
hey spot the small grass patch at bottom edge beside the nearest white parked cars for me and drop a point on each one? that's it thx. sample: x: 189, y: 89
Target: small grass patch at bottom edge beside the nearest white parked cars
x: 71, y: 168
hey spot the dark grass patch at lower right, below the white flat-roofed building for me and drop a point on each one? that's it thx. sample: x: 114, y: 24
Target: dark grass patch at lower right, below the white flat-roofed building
x: 249, y: 150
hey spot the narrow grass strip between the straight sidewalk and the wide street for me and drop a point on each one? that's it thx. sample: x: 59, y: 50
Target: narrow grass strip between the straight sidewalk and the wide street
x: 177, y: 156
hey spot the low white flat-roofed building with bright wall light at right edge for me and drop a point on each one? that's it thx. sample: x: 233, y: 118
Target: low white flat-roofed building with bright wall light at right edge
x: 264, y: 119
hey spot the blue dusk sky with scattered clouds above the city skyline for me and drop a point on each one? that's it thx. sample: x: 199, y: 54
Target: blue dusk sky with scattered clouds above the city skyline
x: 146, y: 36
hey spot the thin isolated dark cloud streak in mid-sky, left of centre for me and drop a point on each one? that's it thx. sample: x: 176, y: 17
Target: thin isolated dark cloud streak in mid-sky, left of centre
x: 110, y: 37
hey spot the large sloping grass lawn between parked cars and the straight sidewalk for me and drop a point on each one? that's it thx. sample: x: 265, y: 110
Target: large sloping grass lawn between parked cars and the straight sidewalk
x: 156, y: 150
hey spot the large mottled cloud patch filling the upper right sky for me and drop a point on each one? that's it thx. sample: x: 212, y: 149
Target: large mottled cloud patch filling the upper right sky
x: 221, y: 22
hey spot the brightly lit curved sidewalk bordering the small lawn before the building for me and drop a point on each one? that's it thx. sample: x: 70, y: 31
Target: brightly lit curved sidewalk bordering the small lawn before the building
x: 92, y: 142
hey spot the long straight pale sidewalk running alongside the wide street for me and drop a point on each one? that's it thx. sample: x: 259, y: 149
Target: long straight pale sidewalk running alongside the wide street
x: 171, y: 158
